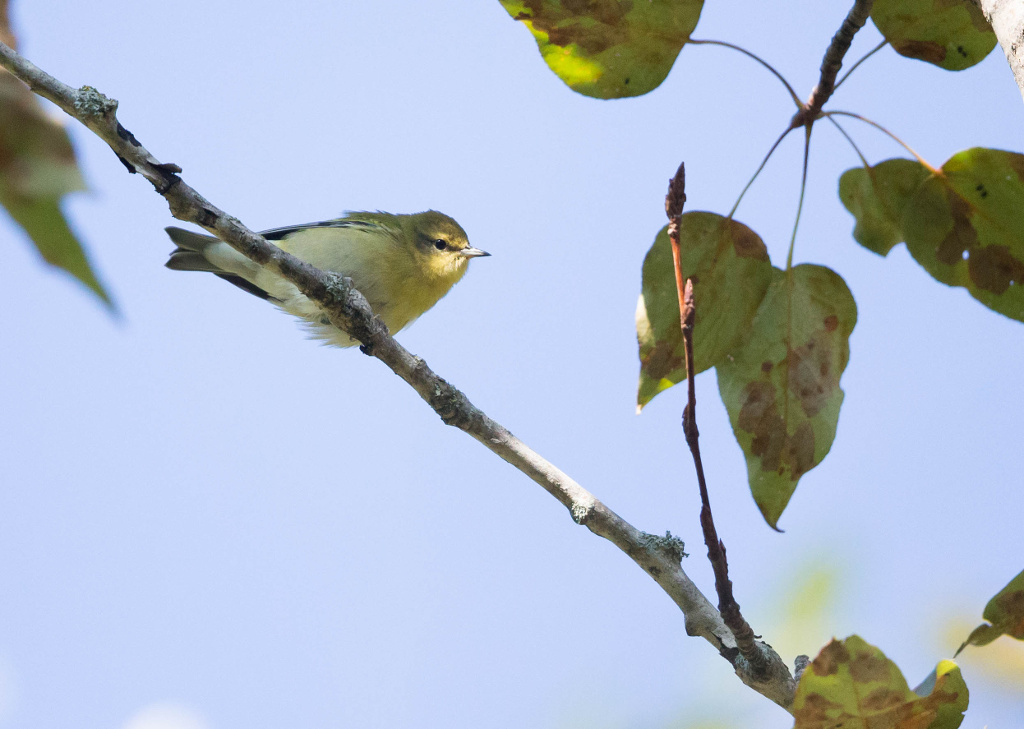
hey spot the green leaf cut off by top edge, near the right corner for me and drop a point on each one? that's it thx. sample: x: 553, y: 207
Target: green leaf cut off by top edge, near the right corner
x: 951, y: 34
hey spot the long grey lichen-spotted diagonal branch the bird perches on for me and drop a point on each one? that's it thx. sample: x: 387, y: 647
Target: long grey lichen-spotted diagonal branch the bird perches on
x: 659, y: 556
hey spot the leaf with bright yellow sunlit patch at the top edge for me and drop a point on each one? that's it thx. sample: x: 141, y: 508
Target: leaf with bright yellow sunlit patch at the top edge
x: 609, y: 49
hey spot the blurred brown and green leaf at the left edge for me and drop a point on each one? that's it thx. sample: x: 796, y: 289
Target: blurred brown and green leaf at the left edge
x: 37, y: 169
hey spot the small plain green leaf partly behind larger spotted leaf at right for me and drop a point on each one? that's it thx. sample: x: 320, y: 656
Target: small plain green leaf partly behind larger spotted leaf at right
x: 877, y: 197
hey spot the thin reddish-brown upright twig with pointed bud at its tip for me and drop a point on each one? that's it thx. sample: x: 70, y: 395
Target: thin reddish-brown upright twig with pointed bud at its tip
x: 729, y: 608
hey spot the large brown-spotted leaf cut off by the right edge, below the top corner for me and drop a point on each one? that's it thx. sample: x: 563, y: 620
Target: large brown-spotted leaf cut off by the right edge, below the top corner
x: 966, y: 228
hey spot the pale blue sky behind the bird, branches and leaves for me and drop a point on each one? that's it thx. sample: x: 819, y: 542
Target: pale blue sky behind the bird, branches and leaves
x: 207, y: 520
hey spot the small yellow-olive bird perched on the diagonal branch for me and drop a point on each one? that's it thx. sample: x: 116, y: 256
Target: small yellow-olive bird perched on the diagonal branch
x: 404, y: 265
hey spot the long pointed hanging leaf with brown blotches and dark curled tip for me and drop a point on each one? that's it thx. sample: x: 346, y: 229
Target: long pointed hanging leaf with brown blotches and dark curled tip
x: 782, y: 387
